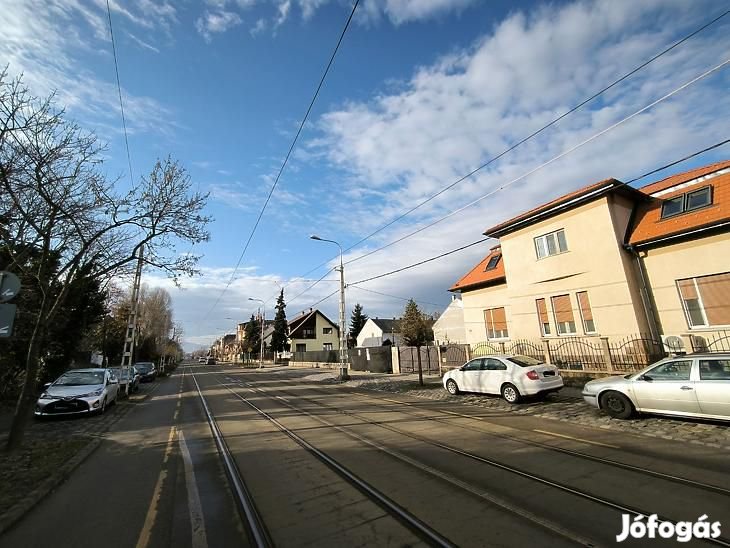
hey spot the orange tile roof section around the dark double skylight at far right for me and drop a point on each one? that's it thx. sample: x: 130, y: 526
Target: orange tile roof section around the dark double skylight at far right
x: 649, y: 225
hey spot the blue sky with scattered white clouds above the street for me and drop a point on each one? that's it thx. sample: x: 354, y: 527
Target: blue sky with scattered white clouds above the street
x: 421, y: 93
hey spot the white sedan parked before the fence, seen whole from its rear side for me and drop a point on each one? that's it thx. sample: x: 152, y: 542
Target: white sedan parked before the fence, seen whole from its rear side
x: 512, y: 376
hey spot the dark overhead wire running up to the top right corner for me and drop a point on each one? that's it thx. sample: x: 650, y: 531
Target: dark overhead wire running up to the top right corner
x: 533, y: 134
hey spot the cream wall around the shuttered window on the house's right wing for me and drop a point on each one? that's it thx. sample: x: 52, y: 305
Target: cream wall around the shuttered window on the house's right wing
x: 665, y: 265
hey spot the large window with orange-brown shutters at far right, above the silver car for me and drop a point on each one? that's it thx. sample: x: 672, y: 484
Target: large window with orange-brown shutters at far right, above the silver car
x: 706, y: 300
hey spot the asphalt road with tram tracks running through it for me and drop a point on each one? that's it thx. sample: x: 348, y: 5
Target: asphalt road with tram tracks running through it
x: 326, y: 465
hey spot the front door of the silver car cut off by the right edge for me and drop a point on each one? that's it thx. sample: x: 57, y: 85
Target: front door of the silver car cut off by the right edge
x: 667, y: 387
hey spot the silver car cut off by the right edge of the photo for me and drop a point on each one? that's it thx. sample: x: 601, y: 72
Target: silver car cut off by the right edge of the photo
x: 695, y: 385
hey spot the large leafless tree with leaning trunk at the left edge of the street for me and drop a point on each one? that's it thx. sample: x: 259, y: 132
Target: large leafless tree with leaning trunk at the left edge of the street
x: 57, y: 206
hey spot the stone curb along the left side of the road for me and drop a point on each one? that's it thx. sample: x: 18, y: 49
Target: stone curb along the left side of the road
x: 17, y: 512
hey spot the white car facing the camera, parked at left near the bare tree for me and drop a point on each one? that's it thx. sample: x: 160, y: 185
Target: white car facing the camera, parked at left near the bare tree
x: 78, y: 391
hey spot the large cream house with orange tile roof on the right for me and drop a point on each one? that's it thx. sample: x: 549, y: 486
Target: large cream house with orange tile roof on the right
x: 608, y: 260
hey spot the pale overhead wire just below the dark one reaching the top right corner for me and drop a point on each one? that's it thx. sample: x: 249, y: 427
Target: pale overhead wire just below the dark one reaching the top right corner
x: 545, y: 164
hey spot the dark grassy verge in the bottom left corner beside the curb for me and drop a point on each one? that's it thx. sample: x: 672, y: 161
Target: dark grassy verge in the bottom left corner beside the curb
x: 26, y: 469
